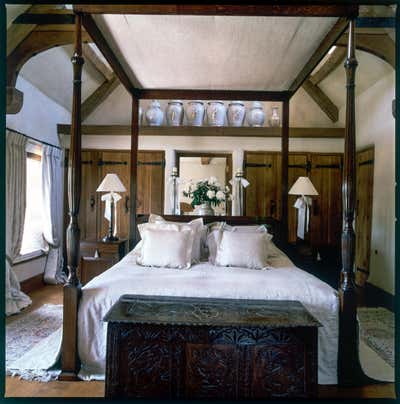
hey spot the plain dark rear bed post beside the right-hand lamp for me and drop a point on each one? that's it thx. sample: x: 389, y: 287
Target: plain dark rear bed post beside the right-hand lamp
x: 285, y: 166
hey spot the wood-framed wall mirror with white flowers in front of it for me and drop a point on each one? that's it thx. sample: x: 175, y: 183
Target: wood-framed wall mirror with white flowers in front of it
x: 204, y: 187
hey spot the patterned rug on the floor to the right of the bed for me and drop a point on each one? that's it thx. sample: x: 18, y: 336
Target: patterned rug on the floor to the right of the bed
x: 377, y: 331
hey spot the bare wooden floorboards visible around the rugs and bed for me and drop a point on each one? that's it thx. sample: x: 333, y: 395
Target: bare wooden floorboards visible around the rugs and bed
x: 53, y: 294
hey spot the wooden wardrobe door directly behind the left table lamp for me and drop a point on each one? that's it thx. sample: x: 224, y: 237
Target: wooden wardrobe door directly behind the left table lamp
x: 117, y: 162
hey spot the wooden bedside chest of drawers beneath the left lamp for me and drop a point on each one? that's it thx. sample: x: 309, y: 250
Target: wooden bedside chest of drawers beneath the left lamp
x: 108, y: 254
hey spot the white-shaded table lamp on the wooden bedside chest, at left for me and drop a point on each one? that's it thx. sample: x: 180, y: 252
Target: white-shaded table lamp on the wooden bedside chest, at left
x: 112, y: 184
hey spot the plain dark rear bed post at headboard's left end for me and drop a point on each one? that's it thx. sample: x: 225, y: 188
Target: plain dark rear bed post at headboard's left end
x: 134, y: 159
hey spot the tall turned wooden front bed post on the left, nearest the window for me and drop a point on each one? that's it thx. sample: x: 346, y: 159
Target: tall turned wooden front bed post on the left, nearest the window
x: 72, y: 288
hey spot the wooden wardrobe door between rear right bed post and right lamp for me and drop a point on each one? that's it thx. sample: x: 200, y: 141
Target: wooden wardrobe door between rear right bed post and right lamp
x: 297, y: 168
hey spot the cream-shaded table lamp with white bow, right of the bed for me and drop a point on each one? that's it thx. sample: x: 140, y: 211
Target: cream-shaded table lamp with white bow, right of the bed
x: 304, y: 188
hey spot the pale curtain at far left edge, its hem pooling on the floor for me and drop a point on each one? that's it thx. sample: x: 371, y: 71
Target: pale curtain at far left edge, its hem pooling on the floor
x: 16, y: 300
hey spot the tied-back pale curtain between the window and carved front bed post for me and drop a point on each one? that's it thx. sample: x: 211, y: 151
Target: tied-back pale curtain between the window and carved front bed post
x: 52, y: 191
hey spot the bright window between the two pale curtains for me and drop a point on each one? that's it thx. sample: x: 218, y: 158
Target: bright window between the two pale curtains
x: 32, y: 240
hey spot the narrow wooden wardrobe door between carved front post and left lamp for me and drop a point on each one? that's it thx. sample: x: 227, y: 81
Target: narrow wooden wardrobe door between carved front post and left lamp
x: 90, y: 199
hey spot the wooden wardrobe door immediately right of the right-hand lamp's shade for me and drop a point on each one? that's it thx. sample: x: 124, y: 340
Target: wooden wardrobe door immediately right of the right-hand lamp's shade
x: 326, y: 216
